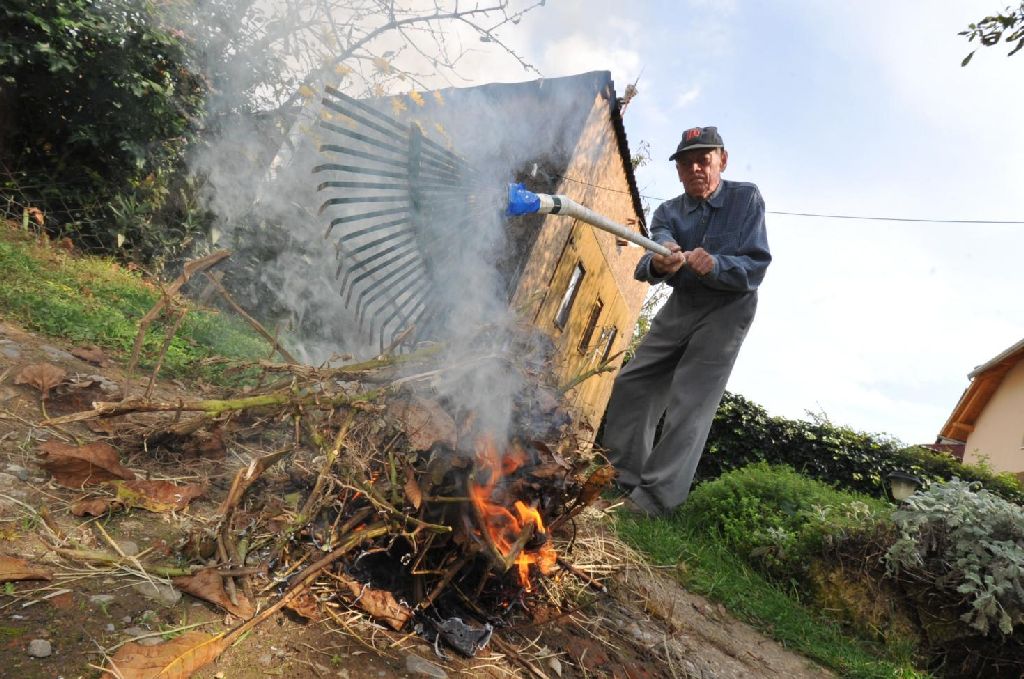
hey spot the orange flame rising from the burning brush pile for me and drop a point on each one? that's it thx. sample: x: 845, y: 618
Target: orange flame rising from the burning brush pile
x: 502, y: 526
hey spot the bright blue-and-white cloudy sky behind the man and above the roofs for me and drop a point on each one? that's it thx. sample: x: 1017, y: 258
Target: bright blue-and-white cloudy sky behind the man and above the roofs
x: 833, y: 108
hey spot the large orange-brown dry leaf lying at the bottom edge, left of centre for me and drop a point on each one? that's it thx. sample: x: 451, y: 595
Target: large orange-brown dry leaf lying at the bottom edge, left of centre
x: 177, y: 659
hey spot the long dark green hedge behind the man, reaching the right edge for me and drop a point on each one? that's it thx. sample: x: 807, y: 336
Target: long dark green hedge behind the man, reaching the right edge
x: 744, y: 434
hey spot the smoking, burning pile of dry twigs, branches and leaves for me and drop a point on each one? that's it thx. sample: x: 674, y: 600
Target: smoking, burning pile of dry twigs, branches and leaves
x: 388, y: 495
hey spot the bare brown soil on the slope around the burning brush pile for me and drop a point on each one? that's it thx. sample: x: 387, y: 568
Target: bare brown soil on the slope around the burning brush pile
x: 646, y: 626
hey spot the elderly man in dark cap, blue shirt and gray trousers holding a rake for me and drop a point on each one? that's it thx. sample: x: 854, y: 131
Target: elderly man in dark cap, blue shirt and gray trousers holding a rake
x: 716, y: 233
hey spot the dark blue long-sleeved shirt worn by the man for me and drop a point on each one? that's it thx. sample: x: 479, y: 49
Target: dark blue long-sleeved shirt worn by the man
x: 731, y: 226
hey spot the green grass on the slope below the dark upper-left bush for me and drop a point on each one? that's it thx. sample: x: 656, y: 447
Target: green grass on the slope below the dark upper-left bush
x: 95, y: 301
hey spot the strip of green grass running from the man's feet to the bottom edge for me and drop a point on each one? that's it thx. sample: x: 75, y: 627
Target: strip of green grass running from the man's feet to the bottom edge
x: 705, y: 566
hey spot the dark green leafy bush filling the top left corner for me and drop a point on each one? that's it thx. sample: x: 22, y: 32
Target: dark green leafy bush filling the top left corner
x: 98, y: 107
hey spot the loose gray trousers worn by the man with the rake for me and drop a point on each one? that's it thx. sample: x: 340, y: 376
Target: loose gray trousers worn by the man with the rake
x: 680, y: 369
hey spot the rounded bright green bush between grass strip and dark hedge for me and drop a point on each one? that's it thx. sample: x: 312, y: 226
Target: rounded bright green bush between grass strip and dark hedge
x: 779, y: 521
